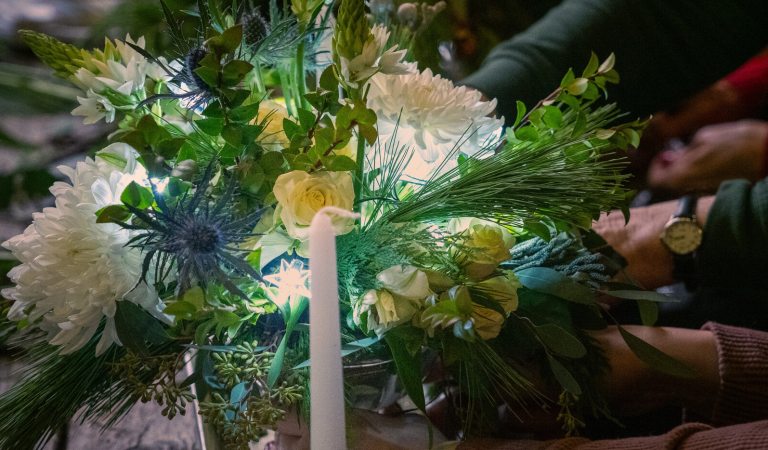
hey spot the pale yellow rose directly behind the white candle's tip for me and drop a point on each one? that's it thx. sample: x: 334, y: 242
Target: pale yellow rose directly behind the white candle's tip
x: 300, y: 195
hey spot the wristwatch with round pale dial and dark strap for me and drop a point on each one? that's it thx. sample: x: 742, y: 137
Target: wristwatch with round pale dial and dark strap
x: 682, y: 236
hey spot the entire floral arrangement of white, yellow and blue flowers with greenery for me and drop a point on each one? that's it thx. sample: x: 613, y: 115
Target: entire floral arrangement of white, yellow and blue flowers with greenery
x: 186, y: 238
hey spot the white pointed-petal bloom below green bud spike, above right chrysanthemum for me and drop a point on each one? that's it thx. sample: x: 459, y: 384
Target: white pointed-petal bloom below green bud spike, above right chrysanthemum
x: 374, y: 59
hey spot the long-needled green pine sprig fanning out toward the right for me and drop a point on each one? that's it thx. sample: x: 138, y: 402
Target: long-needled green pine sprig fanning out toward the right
x: 563, y: 179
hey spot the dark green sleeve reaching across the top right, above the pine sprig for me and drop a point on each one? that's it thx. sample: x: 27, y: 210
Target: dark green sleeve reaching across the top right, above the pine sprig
x: 665, y: 49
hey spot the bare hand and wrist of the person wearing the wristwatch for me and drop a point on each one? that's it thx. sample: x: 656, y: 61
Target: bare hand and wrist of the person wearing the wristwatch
x: 649, y: 262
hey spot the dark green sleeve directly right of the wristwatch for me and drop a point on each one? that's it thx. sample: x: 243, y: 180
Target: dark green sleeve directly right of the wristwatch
x: 733, y: 256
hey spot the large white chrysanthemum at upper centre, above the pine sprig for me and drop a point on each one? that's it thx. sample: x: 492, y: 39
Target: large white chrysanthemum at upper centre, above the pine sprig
x: 433, y: 116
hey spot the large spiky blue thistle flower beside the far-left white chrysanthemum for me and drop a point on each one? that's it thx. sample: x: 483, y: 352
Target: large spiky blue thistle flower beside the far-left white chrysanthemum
x: 196, y: 236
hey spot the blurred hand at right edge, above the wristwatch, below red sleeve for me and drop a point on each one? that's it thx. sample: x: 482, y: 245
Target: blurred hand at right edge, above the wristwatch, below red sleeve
x: 715, y: 154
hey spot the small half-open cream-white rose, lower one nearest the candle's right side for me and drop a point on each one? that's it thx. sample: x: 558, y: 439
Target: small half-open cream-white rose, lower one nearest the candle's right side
x: 380, y: 310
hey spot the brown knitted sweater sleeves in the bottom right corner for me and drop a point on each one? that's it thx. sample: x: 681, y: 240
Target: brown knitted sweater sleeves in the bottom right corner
x: 742, y: 397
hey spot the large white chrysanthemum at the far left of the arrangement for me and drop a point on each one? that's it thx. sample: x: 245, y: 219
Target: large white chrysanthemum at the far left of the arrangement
x: 74, y: 270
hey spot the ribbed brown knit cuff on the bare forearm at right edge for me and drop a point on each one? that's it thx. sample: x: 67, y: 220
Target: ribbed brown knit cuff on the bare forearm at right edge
x: 743, y: 364
